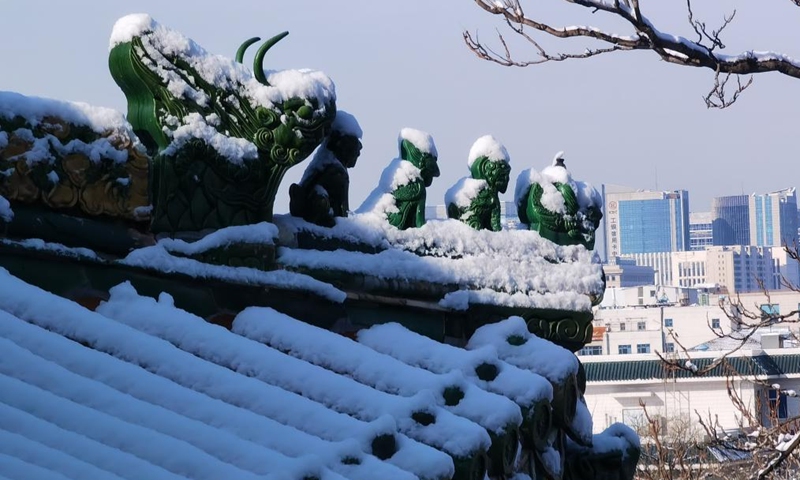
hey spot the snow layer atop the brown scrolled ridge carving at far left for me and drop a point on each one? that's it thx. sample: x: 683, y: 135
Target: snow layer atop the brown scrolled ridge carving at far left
x: 47, y: 121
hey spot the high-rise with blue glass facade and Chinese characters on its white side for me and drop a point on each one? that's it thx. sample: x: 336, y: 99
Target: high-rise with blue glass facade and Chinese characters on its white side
x: 645, y: 221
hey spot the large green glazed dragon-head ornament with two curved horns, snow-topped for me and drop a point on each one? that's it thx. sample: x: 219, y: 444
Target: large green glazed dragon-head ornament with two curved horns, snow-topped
x: 222, y: 136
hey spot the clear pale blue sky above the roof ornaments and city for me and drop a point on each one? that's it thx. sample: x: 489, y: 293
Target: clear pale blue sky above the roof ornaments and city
x: 624, y: 118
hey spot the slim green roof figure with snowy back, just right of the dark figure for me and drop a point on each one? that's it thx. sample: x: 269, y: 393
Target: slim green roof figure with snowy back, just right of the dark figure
x: 401, y: 194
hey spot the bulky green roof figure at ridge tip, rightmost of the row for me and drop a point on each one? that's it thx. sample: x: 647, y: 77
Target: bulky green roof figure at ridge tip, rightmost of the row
x: 562, y: 210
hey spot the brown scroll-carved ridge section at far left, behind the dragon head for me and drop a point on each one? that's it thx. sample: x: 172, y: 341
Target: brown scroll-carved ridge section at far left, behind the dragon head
x: 69, y: 179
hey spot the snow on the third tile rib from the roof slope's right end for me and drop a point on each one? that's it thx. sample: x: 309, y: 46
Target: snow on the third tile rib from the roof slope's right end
x: 382, y: 372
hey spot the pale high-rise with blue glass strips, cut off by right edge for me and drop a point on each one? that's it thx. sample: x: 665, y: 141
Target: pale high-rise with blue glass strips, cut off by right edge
x: 773, y: 218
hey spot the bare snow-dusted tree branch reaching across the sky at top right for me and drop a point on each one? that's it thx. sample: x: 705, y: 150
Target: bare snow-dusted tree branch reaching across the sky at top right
x: 704, y: 50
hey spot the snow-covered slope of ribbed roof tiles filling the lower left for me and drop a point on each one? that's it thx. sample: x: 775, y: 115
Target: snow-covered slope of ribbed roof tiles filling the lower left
x: 142, y: 389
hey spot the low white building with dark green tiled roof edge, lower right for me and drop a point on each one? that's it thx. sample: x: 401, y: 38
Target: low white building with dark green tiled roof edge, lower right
x: 617, y: 387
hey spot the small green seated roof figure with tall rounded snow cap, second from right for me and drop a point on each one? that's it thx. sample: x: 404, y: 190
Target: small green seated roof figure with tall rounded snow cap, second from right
x: 475, y: 200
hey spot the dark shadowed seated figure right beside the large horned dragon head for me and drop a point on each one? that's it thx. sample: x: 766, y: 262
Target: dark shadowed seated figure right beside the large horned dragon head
x: 322, y: 194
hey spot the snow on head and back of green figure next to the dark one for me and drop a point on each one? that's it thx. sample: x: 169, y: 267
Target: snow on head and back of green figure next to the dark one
x: 398, y: 173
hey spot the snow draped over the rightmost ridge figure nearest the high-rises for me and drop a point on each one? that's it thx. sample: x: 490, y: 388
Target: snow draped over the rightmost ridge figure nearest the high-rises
x: 587, y: 195
